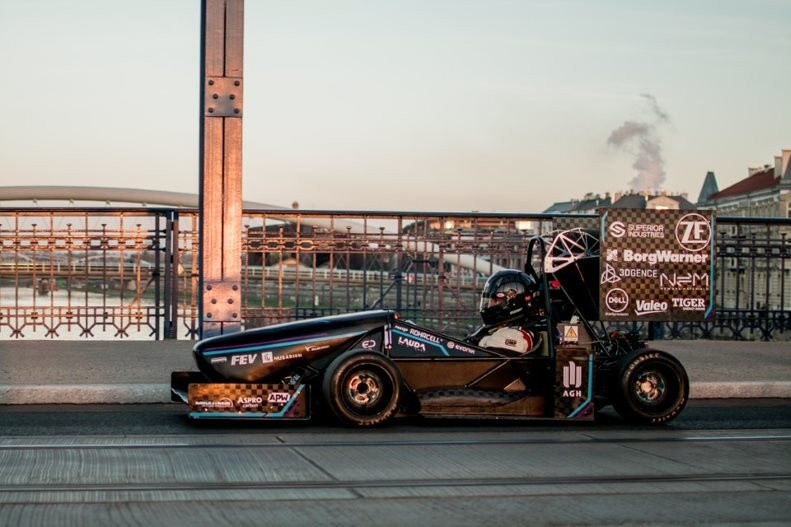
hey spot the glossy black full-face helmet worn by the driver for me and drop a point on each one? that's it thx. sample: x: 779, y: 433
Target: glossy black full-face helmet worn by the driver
x: 507, y: 295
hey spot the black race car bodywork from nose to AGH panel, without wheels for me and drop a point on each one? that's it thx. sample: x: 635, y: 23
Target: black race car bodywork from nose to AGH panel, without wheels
x: 441, y: 376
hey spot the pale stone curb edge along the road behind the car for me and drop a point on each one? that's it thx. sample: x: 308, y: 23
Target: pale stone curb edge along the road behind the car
x: 160, y: 393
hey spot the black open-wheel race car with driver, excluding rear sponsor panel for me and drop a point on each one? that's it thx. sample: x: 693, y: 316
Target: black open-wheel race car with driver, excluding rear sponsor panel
x: 538, y: 355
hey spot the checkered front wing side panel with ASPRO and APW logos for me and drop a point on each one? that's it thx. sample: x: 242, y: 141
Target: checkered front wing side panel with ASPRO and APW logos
x: 257, y: 400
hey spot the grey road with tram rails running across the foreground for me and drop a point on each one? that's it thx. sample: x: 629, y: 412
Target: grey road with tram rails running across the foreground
x: 721, y: 462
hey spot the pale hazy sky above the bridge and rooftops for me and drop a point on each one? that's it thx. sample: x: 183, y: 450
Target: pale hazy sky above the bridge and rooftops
x: 404, y: 105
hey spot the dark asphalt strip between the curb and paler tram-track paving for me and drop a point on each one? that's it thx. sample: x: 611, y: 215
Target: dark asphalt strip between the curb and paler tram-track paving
x: 169, y: 419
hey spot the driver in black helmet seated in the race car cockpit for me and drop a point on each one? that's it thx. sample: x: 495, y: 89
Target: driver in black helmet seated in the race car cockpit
x: 508, y: 301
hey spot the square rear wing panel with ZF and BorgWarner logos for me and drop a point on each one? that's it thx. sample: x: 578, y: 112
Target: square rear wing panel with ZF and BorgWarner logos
x: 656, y: 265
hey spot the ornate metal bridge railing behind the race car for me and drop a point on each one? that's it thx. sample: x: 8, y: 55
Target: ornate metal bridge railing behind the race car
x: 130, y: 273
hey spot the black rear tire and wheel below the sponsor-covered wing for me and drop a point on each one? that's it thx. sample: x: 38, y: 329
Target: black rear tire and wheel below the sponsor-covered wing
x: 651, y: 388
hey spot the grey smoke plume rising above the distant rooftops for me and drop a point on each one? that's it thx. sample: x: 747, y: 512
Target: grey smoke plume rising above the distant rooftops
x: 641, y: 141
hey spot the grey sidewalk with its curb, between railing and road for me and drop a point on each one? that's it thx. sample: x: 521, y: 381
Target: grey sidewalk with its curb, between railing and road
x: 75, y: 372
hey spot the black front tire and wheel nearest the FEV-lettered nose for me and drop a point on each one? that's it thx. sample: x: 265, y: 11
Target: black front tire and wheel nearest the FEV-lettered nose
x: 362, y: 389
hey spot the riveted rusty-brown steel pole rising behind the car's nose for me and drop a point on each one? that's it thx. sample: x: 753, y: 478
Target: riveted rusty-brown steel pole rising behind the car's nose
x: 222, y: 32
